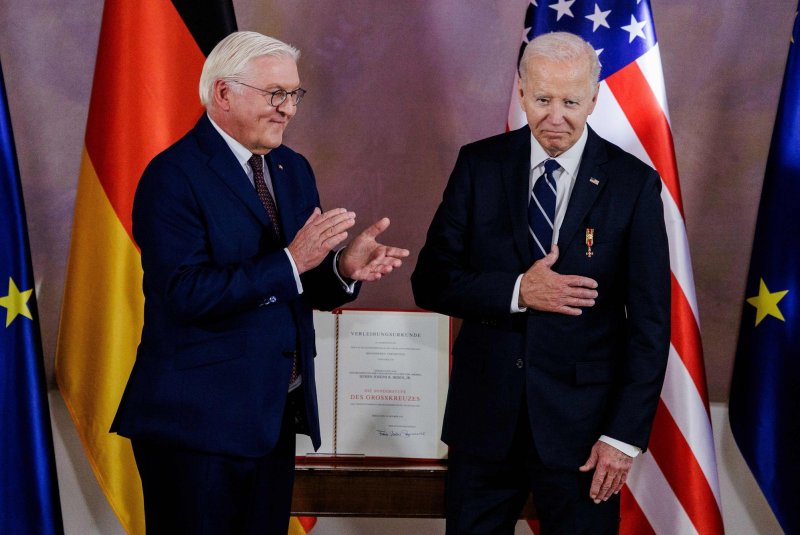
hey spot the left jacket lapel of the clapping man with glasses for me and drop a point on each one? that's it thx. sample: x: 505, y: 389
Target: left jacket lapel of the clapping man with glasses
x: 224, y: 164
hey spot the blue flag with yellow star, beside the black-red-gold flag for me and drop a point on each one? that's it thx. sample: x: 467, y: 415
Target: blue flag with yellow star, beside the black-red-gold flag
x: 29, y: 501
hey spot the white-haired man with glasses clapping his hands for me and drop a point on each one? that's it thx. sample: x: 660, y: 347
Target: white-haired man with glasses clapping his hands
x: 236, y: 253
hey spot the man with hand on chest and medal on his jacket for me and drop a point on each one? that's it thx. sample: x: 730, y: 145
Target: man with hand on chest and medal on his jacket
x: 564, y: 291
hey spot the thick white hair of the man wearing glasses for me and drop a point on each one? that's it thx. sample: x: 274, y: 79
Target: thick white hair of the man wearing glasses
x: 229, y: 59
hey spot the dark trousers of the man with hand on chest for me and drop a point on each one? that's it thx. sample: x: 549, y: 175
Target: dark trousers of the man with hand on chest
x: 486, y: 496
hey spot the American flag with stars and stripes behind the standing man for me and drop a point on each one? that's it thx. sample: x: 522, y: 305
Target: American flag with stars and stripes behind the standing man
x: 673, y: 488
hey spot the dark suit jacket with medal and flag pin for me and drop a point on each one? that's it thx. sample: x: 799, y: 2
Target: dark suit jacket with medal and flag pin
x: 581, y: 376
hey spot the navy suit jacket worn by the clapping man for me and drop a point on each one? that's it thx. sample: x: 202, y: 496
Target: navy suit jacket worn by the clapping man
x: 222, y: 310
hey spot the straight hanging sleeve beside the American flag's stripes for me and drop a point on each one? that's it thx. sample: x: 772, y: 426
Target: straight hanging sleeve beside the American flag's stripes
x: 648, y: 309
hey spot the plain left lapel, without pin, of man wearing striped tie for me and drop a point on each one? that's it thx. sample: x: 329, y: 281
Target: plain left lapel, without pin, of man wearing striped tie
x: 515, y: 171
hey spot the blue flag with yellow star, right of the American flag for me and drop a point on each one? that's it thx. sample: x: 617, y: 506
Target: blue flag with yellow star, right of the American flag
x: 765, y: 394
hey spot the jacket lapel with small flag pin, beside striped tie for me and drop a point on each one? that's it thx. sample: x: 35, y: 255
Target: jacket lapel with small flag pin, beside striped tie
x: 591, y: 180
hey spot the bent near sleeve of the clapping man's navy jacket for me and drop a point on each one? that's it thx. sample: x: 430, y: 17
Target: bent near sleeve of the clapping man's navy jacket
x: 171, y: 226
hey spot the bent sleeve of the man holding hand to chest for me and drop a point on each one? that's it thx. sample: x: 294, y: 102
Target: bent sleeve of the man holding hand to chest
x: 455, y: 273
